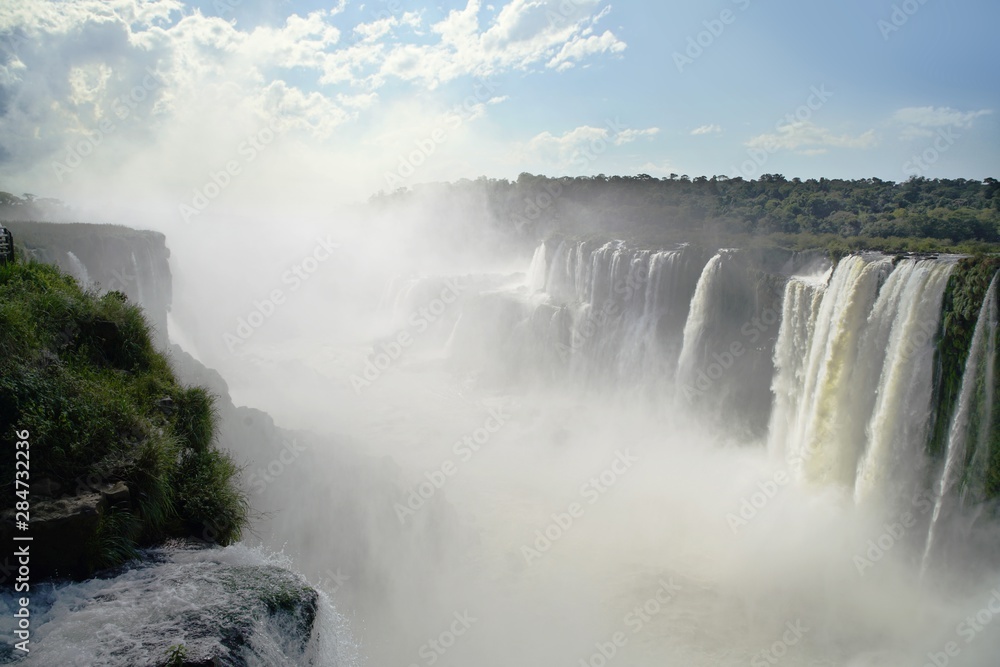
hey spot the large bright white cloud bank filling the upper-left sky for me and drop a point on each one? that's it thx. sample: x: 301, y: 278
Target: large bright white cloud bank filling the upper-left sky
x: 160, y: 85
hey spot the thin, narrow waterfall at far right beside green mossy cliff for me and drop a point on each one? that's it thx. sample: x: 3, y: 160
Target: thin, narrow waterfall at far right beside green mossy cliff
x: 958, y: 431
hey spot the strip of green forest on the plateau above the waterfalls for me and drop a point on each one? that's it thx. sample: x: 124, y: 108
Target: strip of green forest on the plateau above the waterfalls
x: 920, y: 215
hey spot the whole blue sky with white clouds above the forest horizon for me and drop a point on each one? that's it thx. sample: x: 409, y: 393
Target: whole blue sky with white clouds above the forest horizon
x: 293, y: 102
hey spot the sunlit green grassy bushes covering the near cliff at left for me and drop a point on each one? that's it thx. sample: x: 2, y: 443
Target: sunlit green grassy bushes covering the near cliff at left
x: 79, y: 371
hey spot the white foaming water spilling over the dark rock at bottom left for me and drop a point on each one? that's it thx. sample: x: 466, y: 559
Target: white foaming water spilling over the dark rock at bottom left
x: 176, y: 598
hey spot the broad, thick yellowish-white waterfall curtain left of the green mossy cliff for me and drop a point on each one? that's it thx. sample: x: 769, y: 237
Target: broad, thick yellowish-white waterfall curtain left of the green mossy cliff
x: 854, y: 371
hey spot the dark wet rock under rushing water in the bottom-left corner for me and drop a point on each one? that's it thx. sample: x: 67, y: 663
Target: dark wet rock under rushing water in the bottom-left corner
x: 184, y: 606
